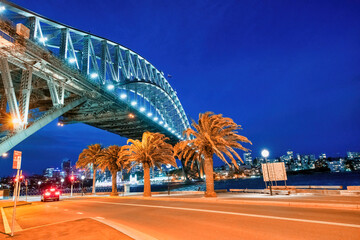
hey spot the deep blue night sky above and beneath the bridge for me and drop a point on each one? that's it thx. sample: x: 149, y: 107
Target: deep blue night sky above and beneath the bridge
x: 287, y: 71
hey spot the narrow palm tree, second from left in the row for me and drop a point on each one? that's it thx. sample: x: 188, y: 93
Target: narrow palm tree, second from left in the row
x: 108, y: 160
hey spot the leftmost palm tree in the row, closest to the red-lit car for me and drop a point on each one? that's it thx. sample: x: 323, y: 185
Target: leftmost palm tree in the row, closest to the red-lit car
x: 88, y: 157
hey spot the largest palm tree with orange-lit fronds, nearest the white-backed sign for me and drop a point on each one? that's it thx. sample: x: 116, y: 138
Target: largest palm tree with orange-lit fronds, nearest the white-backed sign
x: 213, y: 134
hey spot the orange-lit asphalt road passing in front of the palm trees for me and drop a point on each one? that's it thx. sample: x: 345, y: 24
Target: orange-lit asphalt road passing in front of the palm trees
x: 187, y: 220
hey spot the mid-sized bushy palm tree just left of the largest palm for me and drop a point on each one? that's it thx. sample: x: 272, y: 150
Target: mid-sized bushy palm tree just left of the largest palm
x: 152, y: 151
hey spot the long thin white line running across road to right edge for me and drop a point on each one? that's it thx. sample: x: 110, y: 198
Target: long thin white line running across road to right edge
x: 234, y: 213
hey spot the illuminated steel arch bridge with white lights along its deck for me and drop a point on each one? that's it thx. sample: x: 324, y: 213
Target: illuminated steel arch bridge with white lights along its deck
x: 62, y: 72
